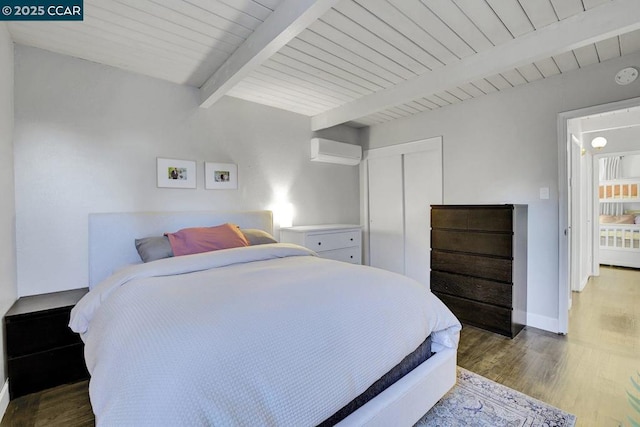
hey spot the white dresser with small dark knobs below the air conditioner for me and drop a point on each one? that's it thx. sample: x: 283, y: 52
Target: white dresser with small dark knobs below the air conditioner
x: 341, y: 242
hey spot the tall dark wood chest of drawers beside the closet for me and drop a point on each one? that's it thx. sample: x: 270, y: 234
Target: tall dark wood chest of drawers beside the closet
x: 479, y: 264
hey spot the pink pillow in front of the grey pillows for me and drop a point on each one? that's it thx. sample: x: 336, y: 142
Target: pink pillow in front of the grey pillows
x: 205, y: 239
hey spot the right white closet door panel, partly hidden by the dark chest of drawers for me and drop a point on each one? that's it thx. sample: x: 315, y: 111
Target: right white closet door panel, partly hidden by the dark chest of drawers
x: 422, y: 188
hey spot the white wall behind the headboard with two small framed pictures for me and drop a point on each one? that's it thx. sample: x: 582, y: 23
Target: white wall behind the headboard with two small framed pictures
x: 86, y: 140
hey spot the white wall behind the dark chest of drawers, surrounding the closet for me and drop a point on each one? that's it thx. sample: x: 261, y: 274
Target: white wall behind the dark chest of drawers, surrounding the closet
x: 502, y: 148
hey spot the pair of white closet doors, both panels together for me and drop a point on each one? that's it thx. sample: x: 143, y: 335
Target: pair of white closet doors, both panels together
x: 403, y: 182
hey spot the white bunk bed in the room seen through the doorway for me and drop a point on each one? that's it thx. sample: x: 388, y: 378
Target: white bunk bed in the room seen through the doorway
x: 620, y: 234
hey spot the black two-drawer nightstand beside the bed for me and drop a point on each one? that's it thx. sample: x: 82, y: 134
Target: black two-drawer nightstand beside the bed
x: 42, y: 351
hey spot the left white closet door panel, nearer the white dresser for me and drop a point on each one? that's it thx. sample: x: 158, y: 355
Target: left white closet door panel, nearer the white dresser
x: 386, y: 217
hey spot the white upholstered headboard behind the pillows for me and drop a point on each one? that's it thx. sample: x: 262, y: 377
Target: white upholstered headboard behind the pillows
x: 112, y: 235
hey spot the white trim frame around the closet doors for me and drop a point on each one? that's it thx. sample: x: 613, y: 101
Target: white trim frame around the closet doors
x: 427, y: 144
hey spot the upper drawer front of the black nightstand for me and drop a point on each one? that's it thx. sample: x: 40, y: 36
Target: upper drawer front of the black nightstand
x: 38, y: 332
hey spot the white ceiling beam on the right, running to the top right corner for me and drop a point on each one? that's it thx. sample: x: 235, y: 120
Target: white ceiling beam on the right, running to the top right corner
x: 602, y: 22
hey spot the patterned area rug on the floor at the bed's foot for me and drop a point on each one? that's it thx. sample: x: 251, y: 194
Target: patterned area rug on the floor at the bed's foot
x: 477, y: 401
